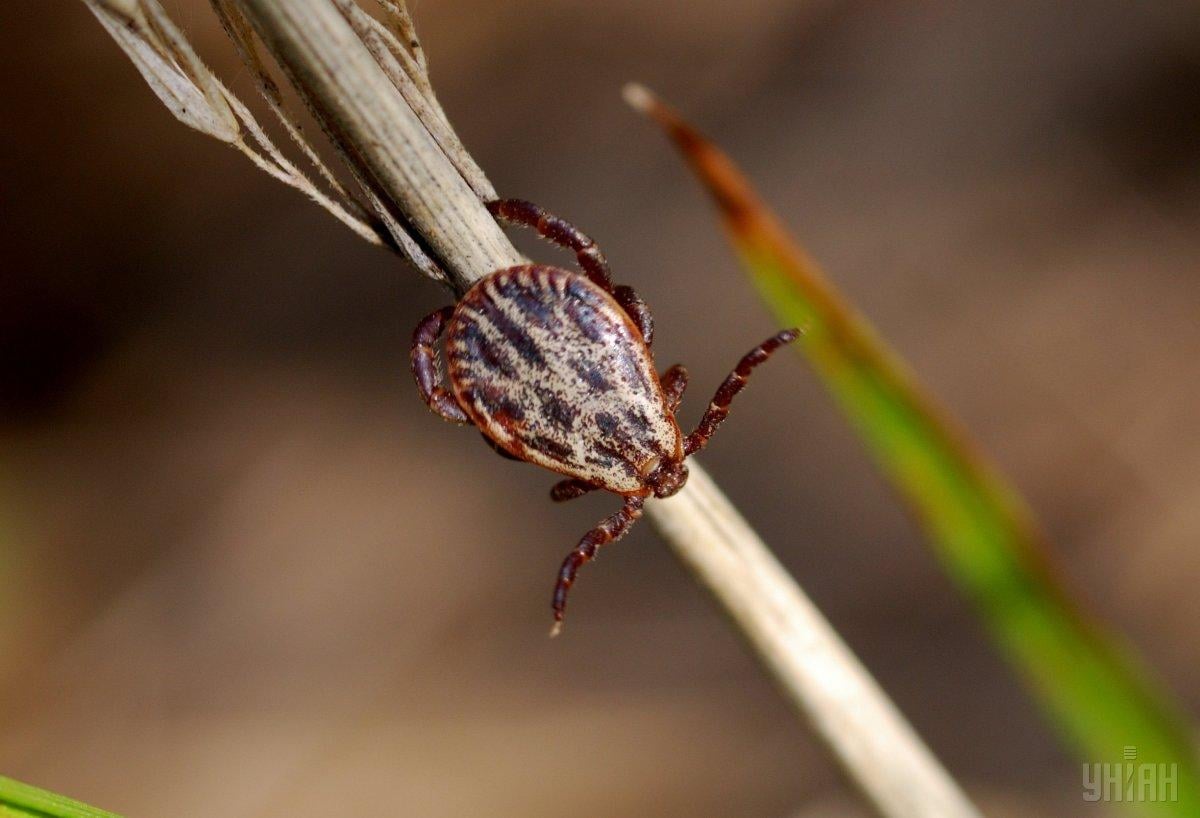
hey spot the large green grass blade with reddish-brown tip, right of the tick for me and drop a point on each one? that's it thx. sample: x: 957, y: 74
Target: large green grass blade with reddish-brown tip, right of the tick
x: 1090, y: 684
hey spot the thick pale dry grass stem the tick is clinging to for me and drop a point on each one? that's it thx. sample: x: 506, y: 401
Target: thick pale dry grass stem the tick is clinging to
x: 369, y: 88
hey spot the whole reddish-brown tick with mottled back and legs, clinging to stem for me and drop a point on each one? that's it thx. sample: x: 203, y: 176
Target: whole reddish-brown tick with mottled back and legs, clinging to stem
x: 555, y: 369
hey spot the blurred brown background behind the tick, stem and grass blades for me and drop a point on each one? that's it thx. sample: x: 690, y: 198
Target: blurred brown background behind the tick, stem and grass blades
x: 242, y: 567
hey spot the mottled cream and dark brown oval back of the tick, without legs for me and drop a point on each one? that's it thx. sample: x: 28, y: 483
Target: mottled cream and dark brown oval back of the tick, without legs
x: 554, y: 370
